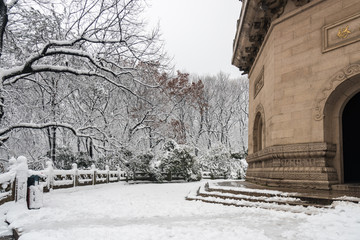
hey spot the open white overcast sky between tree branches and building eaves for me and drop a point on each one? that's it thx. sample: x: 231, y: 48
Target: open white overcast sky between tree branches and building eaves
x: 198, y: 34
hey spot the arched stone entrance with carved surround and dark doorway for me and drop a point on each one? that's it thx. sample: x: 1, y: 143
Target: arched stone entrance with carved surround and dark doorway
x: 339, y: 97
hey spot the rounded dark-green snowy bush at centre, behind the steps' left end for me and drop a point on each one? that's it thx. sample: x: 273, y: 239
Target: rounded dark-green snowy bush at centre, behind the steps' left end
x: 178, y: 160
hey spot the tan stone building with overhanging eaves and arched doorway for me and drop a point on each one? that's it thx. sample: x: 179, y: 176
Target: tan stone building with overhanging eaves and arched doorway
x: 303, y: 62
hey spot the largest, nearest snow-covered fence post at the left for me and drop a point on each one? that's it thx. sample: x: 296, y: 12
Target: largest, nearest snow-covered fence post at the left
x: 21, y: 178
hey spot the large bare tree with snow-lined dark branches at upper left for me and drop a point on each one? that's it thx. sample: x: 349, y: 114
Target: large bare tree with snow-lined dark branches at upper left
x: 98, y: 40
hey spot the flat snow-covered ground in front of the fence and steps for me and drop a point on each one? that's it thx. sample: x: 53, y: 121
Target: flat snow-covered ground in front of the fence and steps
x: 160, y: 211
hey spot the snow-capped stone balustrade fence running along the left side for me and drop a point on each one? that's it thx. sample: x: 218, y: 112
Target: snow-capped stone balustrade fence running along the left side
x: 13, y: 184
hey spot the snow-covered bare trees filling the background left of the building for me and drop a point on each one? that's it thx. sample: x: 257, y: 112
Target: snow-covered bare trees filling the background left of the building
x: 83, y: 81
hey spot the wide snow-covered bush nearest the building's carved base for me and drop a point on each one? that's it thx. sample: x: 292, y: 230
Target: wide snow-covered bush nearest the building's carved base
x: 222, y: 164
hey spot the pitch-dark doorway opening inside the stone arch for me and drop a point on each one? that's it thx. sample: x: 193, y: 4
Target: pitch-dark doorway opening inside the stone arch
x: 351, y: 140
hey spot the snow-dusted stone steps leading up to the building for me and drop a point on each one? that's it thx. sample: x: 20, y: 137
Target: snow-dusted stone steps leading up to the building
x: 248, y: 195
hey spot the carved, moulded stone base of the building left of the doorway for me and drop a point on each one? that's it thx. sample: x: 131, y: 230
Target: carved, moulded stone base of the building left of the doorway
x: 295, y: 165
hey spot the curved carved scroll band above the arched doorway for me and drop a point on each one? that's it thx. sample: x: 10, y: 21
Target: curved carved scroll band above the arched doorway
x: 330, y: 86
